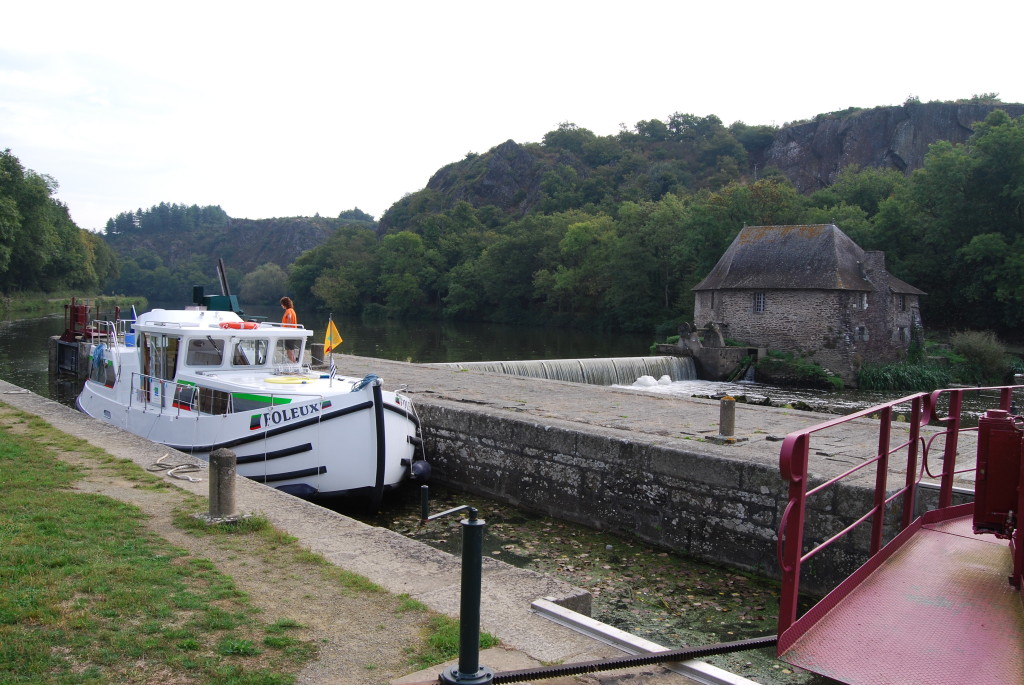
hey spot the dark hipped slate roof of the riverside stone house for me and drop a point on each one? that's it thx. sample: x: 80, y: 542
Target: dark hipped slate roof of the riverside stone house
x: 809, y: 258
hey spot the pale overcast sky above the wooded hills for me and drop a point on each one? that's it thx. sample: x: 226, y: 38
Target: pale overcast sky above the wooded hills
x: 276, y: 110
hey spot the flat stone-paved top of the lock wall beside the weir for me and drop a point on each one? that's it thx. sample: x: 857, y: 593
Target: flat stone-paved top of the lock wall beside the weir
x: 686, y: 422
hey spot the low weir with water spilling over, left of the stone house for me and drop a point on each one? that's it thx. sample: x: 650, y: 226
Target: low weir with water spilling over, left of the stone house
x: 608, y: 371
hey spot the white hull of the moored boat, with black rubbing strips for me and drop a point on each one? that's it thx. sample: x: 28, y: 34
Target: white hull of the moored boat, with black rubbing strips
x: 359, y: 443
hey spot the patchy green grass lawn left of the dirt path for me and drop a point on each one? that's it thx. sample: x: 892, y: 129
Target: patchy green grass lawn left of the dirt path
x: 89, y: 595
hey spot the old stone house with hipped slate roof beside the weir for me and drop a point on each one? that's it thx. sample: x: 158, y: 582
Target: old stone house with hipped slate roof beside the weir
x: 813, y: 291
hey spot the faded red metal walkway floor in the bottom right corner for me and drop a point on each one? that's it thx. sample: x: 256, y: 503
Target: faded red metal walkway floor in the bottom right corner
x: 938, y: 611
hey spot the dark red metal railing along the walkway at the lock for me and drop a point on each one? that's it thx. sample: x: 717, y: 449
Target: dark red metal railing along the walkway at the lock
x: 794, y: 466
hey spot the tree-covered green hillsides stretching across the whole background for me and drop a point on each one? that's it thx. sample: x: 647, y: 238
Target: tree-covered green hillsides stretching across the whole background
x: 608, y: 233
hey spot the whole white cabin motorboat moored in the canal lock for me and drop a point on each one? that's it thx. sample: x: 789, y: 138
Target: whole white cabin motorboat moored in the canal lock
x: 198, y: 380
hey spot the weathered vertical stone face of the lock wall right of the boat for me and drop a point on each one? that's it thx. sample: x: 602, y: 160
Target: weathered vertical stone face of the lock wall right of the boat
x: 713, y: 508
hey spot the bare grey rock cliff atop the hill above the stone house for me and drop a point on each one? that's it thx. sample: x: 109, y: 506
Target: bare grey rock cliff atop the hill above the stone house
x: 897, y: 138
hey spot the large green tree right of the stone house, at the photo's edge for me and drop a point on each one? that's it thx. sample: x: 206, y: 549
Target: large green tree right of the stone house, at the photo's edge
x: 957, y: 229
